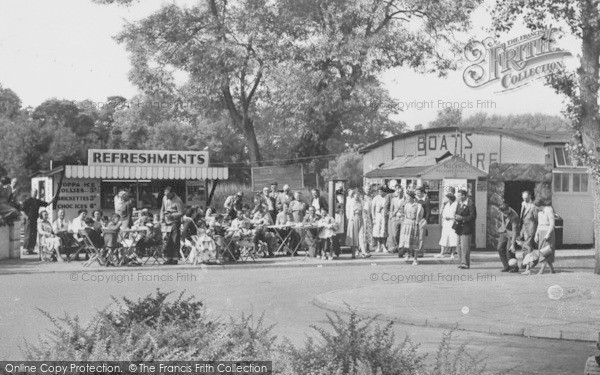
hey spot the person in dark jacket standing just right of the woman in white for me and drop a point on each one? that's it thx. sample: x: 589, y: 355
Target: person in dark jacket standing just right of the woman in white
x: 465, y: 223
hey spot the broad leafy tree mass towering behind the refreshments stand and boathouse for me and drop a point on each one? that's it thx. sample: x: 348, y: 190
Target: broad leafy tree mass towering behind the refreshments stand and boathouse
x: 309, y: 66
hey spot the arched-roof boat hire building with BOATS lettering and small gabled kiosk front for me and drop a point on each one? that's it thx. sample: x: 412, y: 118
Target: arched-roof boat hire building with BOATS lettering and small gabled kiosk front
x: 492, y: 164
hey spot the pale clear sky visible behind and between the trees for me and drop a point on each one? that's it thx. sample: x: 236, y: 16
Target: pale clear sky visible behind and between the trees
x: 65, y: 49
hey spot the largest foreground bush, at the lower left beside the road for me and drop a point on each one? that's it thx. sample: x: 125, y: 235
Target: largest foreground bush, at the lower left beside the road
x: 154, y: 329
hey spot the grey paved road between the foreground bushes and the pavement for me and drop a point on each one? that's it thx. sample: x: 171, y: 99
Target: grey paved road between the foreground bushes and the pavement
x: 285, y: 294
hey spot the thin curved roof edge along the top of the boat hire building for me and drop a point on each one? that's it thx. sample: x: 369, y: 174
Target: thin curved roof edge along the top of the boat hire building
x: 534, y: 136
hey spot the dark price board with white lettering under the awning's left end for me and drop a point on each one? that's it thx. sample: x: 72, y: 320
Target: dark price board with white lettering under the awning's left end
x: 77, y: 194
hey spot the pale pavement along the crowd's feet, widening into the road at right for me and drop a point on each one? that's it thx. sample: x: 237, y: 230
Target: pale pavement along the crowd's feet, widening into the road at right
x: 564, y: 306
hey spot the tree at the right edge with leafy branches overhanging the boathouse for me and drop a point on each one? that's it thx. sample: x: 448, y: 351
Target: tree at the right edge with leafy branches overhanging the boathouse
x: 582, y: 19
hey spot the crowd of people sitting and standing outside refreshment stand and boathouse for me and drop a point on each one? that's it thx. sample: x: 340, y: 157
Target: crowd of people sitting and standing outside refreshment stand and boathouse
x: 380, y: 218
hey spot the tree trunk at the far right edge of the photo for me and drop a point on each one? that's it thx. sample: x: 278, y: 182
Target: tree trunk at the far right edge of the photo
x: 589, y: 123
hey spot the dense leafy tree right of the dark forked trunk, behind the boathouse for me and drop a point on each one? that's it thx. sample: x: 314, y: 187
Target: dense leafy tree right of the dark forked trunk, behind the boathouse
x: 332, y: 85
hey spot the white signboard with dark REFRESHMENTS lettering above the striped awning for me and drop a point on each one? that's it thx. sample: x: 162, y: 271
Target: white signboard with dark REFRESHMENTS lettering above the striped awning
x: 148, y: 158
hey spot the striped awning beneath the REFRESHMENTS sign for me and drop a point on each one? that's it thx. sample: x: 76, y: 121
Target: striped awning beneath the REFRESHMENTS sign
x: 146, y: 173
